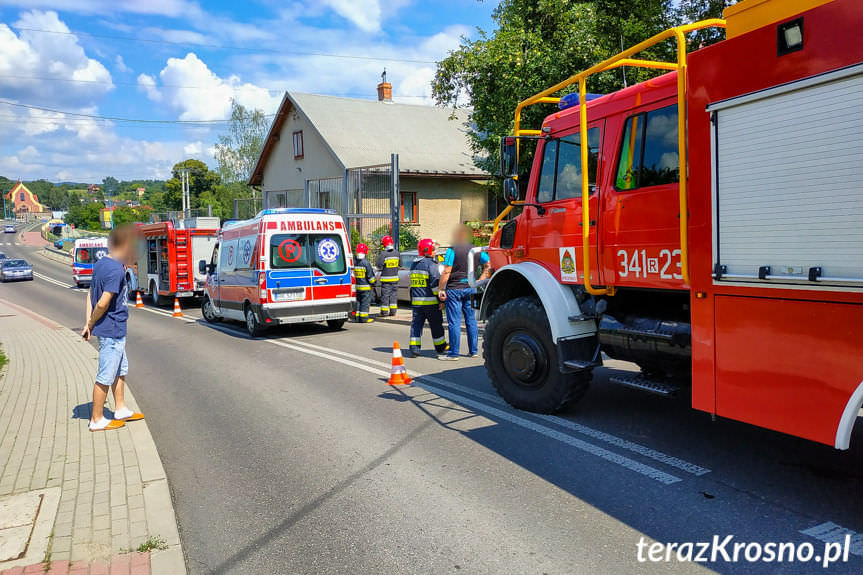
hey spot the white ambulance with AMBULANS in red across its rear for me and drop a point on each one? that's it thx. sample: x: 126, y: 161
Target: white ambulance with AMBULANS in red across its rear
x: 283, y: 266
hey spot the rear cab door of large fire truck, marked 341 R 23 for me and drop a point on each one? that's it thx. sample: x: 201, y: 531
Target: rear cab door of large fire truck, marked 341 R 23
x: 640, y: 223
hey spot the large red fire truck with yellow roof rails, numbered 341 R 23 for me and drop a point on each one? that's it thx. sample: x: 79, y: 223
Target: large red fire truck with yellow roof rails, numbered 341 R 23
x: 742, y: 273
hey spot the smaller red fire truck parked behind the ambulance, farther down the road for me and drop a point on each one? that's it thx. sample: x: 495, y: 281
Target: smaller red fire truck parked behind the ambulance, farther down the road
x: 168, y: 256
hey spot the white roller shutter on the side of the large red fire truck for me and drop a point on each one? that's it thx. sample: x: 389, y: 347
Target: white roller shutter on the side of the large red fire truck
x: 788, y: 181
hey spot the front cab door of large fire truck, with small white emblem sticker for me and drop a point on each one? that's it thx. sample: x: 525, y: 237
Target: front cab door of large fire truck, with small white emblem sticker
x: 556, y: 234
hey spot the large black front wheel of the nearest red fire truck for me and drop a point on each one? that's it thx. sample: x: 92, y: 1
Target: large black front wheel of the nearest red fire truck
x: 522, y: 361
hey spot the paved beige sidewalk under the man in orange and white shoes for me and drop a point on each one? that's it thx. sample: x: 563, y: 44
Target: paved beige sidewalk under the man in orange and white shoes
x: 72, y: 501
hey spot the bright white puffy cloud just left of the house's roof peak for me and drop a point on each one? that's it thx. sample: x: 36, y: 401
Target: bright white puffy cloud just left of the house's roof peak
x: 189, y: 86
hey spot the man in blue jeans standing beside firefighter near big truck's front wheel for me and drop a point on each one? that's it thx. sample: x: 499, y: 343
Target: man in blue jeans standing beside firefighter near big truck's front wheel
x: 456, y: 293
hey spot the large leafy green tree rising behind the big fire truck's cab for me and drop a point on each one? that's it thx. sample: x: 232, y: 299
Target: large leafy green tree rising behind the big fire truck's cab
x: 536, y: 44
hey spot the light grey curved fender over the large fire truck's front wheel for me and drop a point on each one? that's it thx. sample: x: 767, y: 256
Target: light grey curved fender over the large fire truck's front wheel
x: 557, y: 299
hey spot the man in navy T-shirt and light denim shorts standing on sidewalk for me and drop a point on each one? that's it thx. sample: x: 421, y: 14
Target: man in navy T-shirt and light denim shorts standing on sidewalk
x: 106, y: 319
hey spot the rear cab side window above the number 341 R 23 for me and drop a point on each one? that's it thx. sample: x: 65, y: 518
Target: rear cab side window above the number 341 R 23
x: 648, y: 151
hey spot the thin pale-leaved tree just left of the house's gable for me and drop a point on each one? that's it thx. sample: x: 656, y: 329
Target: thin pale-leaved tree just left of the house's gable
x: 237, y: 151
